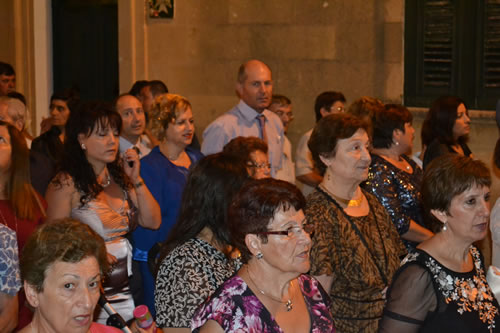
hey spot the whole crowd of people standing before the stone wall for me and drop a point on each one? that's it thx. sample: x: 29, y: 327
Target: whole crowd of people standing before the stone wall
x: 118, y: 205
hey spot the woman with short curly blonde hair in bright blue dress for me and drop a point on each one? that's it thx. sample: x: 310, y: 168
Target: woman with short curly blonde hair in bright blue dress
x: 164, y: 171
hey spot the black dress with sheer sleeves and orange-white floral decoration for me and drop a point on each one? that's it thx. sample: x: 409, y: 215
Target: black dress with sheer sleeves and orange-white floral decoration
x: 425, y: 296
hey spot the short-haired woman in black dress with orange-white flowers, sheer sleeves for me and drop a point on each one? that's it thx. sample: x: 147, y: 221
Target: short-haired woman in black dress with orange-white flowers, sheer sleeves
x: 442, y: 286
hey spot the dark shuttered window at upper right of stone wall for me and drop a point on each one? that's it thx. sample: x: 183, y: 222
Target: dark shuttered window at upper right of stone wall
x: 452, y: 47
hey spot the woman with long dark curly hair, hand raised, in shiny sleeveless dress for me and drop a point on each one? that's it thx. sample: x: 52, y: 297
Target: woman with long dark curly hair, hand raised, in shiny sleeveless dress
x: 104, y: 191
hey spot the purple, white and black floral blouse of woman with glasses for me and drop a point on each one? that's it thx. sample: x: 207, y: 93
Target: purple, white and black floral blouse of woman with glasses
x: 236, y: 308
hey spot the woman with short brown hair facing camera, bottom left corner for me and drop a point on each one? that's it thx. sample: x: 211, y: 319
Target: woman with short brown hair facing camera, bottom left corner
x: 61, y: 267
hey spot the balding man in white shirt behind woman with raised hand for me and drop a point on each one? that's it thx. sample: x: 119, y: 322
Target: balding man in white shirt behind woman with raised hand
x: 133, y: 125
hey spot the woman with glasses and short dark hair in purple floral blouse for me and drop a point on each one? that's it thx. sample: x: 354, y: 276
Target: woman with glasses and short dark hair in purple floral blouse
x: 271, y: 292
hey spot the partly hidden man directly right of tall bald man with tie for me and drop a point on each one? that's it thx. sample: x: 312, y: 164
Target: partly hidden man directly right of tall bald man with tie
x: 282, y: 107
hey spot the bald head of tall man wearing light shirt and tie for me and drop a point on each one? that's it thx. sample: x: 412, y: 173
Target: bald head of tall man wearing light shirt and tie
x: 255, y: 85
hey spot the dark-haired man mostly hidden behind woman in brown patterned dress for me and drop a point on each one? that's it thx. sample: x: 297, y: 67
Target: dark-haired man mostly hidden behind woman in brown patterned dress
x: 328, y: 102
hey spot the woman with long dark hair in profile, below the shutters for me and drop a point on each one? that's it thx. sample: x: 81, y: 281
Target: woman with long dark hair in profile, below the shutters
x: 446, y: 126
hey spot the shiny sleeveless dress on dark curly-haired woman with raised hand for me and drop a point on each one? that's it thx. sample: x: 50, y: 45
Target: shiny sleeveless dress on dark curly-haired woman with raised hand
x: 112, y: 226
